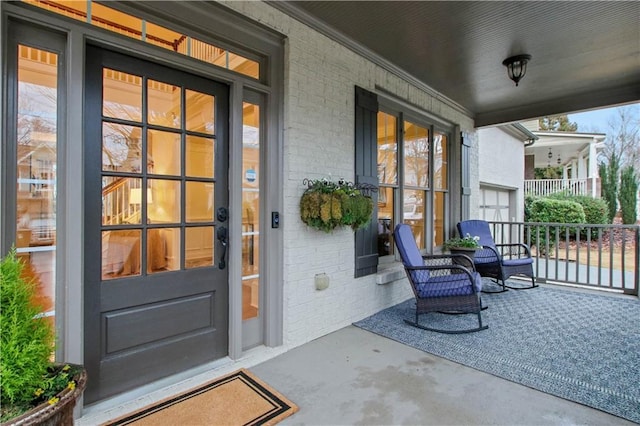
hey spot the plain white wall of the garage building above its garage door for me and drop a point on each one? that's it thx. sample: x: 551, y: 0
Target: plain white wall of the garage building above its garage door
x: 501, y: 164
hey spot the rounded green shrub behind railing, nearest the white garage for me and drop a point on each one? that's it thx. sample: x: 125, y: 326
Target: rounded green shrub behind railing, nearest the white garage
x: 548, y: 210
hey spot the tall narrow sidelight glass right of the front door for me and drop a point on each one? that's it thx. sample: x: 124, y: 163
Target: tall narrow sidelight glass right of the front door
x: 250, y: 209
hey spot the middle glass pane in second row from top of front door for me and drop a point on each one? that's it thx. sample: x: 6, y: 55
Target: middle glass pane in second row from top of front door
x: 163, y: 153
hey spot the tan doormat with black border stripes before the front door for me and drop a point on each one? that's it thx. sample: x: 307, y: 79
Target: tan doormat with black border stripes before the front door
x: 239, y: 398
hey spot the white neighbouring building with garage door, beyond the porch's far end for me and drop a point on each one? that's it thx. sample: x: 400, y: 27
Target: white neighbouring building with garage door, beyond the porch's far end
x: 501, y: 162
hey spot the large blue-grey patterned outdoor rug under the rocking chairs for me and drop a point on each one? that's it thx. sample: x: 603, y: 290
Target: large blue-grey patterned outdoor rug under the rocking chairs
x: 580, y: 346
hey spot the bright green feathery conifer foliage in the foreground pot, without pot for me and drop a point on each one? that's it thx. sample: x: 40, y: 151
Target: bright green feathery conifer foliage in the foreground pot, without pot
x: 26, y: 342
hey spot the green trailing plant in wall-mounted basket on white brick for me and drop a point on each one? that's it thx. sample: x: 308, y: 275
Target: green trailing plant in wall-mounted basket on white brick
x: 327, y: 205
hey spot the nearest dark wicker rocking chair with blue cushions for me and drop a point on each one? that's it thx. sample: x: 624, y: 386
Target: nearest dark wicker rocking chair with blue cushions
x: 438, y: 283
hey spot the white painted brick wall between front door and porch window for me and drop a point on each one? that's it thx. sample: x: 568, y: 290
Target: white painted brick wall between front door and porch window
x: 320, y: 76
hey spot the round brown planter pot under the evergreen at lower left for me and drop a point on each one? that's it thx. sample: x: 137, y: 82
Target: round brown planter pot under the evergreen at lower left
x: 59, y: 414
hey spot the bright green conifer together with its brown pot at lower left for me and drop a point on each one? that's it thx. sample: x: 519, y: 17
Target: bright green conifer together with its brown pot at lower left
x: 34, y: 389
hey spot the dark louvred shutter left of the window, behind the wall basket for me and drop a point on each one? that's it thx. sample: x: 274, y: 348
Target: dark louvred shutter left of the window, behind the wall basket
x: 366, y: 170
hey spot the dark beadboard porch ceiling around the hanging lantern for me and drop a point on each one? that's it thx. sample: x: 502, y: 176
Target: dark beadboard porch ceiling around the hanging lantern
x: 585, y: 54
